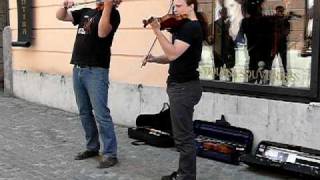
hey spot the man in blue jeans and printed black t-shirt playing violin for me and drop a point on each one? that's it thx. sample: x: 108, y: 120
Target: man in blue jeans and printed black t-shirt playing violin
x: 91, y: 59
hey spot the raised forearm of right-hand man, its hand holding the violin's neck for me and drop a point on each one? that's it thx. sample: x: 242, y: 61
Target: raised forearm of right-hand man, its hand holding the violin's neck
x: 168, y: 48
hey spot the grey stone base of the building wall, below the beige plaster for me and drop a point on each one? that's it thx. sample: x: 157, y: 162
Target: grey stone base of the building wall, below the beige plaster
x: 286, y: 122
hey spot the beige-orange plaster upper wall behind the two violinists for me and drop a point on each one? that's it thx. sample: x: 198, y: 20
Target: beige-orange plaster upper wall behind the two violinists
x: 53, y: 42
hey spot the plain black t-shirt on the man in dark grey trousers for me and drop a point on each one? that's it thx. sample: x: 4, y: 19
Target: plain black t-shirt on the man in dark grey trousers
x: 184, y: 68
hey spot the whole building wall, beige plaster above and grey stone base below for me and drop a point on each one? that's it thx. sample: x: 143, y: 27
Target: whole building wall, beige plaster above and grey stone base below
x: 42, y: 74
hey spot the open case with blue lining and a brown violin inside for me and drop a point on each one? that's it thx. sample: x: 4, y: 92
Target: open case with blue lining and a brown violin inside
x: 221, y: 141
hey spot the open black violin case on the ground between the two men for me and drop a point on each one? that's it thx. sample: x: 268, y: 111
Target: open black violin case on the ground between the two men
x: 153, y: 129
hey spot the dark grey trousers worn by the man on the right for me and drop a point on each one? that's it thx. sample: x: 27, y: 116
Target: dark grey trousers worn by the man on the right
x: 183, y: 97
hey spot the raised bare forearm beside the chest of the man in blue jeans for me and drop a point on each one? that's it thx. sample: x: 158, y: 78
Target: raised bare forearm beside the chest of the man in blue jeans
x: 105, y: 27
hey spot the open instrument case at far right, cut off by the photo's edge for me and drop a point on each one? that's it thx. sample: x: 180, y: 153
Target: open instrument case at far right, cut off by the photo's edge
x: 291, y: 159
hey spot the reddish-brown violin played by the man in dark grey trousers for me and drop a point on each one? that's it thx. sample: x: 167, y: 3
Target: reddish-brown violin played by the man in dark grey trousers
x: 168, y: 21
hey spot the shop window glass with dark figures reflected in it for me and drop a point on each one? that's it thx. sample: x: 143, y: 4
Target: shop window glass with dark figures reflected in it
x: 263, y: 42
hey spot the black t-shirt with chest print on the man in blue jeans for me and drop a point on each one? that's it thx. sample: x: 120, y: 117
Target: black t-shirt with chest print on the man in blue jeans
x: 89, y: 49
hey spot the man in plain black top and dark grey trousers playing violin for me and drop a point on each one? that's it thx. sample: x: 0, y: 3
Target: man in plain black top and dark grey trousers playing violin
x: 183, y: 53
